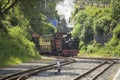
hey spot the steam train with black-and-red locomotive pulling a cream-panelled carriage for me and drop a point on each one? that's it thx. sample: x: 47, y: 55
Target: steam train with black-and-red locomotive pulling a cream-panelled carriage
x: 60, y: 44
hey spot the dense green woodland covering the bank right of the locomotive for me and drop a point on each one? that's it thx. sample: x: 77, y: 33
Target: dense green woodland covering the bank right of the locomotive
x: 97, y: 24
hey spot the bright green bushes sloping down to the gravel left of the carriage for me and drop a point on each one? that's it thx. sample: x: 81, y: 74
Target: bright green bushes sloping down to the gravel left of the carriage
x: 16, y: 48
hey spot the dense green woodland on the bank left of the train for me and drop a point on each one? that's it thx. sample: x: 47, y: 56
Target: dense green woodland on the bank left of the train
x: 19, y: 19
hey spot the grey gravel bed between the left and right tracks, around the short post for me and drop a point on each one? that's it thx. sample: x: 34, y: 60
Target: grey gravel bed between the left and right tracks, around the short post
x: 68, y: 72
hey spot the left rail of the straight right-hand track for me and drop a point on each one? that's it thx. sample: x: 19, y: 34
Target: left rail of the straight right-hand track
x: 88, y: 72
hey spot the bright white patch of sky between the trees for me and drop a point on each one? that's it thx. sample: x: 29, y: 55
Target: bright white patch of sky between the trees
x: 65, y: 8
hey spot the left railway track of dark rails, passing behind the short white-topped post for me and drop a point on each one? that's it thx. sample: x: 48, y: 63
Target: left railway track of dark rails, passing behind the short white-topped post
x: 25, y: 74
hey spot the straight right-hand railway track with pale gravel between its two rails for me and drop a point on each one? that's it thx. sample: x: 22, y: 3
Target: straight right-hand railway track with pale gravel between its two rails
x: 92, y: 74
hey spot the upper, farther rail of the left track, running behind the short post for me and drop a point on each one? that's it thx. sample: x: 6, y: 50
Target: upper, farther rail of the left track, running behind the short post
x: 4, y: 77
